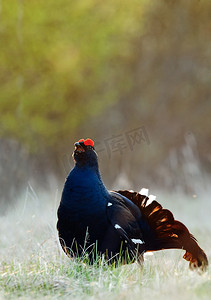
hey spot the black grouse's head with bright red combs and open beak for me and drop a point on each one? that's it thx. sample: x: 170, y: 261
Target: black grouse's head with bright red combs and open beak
x: 84, y: 153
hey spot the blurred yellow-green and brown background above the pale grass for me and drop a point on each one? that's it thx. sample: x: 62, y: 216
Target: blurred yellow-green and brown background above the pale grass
x: 100, y: 69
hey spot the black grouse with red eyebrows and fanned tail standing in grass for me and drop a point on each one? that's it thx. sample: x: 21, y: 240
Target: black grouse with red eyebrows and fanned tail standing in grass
x: 121, y: 225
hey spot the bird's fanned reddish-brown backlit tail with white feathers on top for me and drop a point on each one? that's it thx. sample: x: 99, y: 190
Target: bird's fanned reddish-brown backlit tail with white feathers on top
x: 167, y: 232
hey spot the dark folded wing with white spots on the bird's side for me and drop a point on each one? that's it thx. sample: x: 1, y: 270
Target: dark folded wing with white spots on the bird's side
x: 125, y: 218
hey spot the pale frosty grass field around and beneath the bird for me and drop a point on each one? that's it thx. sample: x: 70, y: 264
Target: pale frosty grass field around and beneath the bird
x: 34, y: 266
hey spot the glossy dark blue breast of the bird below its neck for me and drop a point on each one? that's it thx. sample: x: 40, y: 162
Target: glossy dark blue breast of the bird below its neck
x: 84, y: 202
